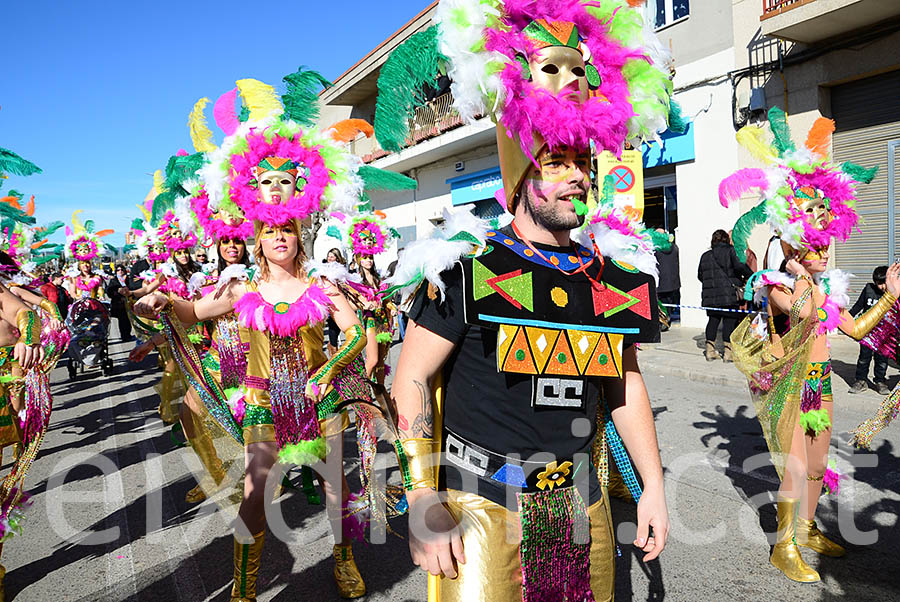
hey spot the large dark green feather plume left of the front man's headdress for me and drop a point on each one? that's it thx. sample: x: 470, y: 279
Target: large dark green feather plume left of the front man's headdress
x: 411, y: 66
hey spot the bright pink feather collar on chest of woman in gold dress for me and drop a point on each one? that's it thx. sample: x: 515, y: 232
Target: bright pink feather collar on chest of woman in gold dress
x: 284, y: 319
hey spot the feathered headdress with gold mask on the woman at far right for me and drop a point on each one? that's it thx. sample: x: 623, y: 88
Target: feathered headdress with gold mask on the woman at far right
x: 806, y: 199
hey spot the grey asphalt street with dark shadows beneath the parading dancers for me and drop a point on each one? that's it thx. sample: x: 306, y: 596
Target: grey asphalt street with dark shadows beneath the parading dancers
x: 109, y: 521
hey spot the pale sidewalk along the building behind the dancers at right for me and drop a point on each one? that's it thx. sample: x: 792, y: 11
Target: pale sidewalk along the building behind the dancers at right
x: 680, y: 354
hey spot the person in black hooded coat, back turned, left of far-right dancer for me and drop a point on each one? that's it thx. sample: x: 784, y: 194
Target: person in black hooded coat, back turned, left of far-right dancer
x: 723, y: 276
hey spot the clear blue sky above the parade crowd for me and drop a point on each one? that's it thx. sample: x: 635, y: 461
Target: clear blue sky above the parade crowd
x: 98, y: 93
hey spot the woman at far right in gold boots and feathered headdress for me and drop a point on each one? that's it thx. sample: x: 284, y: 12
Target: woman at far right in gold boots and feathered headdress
x: 808, y: 201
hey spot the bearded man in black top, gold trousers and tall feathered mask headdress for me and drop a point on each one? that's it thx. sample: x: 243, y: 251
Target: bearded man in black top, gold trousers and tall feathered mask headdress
x: 520, y: 350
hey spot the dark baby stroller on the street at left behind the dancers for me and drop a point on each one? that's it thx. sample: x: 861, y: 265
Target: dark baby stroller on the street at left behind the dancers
x: 88, y: 322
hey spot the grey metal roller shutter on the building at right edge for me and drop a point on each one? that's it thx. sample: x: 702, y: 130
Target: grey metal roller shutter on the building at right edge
x: 867, y: 120
